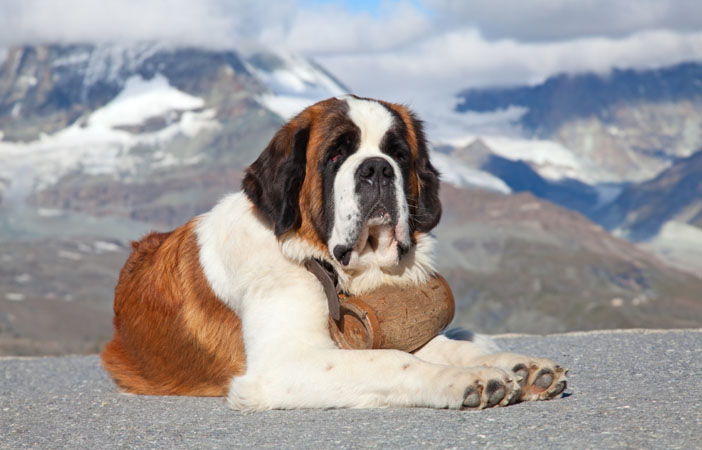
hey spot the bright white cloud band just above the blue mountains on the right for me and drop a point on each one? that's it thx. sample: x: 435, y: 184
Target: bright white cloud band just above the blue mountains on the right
x: 462, y: 58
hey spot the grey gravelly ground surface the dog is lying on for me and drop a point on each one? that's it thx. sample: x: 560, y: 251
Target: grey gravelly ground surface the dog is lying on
x: 627, y: 389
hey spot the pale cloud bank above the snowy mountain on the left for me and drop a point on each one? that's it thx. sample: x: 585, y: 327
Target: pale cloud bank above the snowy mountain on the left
x: 206, y: 22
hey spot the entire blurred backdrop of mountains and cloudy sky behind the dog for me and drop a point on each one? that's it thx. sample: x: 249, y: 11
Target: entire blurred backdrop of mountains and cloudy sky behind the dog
x: 571, y: 159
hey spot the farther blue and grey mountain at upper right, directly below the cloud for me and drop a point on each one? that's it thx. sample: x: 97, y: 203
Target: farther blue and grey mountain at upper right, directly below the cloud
x: 622, y: 127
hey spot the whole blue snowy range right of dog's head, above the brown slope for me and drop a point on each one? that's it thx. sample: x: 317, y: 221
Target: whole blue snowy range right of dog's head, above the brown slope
x: 612, y: 147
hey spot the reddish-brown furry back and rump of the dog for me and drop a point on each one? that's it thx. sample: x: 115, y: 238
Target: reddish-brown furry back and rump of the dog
x: 172, y: 335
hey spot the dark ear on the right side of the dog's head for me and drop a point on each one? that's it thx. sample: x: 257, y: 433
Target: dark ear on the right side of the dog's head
x: 428, y: 212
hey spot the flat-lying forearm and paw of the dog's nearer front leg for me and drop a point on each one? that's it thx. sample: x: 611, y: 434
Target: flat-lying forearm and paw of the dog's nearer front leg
x: 333, y: 378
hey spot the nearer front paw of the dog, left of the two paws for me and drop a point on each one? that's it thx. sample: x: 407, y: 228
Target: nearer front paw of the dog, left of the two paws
x: 490, y: 387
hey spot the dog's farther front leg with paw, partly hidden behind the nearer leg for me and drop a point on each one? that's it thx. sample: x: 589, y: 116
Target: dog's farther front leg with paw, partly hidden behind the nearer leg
x: 539, y: 378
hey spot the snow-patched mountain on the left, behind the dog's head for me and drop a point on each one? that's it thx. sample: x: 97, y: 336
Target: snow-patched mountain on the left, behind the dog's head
x: 88, y: 110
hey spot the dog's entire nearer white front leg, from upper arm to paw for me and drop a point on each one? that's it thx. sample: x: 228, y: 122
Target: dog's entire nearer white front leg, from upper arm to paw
x: 291, y: 362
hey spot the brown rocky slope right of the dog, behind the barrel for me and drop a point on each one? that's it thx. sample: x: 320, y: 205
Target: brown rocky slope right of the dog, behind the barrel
x: 521, y: 264
